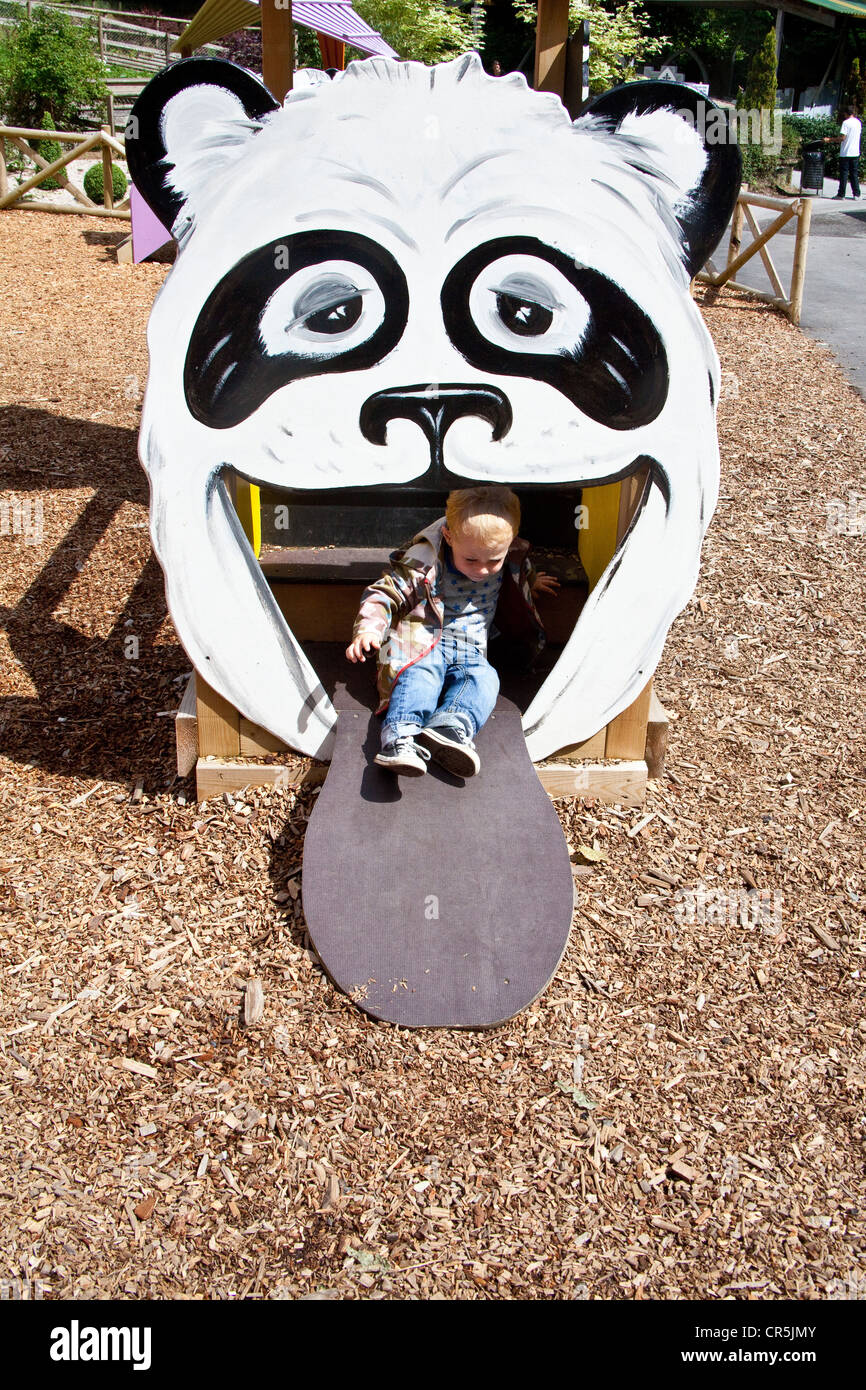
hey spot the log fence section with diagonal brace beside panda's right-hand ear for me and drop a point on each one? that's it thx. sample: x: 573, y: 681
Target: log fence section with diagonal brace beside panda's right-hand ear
x: 787, y: 208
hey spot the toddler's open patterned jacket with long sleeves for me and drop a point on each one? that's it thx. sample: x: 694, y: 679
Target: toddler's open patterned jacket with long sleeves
x: 405, y: 611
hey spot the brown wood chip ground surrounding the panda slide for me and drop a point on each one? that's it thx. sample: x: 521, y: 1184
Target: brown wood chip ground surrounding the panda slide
x: 678, y: 1117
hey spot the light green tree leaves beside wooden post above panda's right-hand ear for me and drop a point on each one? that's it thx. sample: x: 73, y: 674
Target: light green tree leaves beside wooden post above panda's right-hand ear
x: 619, y: 38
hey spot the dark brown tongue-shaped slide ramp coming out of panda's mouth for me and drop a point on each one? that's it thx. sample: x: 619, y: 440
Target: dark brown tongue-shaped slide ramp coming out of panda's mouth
x: 432, y: 901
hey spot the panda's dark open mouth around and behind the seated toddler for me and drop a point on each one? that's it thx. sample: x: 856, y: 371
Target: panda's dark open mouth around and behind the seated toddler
x: 320, y: 548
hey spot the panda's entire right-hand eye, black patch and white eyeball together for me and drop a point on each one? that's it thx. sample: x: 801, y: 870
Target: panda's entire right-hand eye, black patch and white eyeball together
x: 519, y: 308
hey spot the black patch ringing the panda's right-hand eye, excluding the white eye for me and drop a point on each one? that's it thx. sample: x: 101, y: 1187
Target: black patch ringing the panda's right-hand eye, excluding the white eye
x: 618, y: 370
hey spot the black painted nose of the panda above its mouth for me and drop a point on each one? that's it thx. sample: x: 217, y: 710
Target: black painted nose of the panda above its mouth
x: 434, y: 408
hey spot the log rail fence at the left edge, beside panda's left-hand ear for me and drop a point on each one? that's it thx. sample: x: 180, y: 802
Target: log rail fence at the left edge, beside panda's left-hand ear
x: 24, y: 140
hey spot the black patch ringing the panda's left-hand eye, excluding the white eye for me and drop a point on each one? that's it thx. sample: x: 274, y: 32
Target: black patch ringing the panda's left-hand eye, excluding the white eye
x: 230, y: 373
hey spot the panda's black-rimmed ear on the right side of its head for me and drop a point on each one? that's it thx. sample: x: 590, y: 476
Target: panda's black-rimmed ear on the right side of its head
x: 708, y: 201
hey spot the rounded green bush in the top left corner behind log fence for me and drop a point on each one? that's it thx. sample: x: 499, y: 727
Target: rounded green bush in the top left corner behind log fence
x: 49, y: 65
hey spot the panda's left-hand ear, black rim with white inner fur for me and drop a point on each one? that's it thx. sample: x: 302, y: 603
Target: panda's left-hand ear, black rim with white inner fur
x: 191, y: 119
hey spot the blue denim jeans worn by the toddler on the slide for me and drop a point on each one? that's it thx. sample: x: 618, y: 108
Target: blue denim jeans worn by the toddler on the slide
x: 443, y: 690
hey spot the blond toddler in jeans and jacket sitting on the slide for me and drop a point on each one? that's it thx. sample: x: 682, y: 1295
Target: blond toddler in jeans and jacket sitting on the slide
x: 429, y: 618
